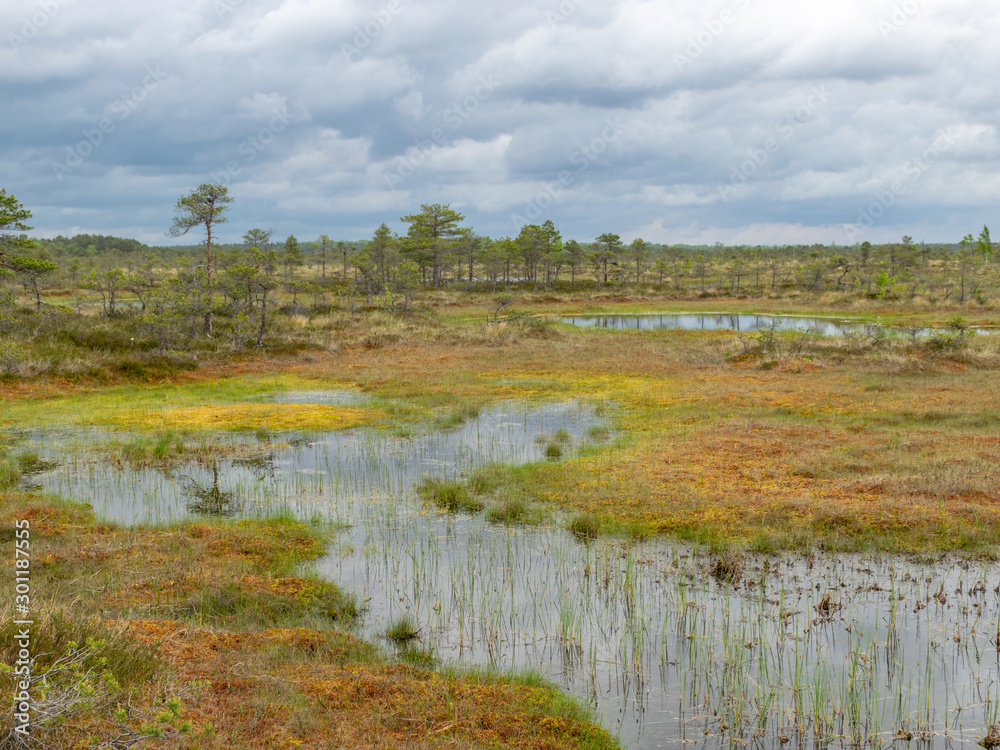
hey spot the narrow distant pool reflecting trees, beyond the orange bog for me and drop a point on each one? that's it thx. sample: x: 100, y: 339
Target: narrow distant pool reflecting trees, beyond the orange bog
x: 741, y: 322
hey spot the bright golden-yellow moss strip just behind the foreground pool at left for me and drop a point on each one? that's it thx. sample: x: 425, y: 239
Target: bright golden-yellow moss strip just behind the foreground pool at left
x: 278, y: 417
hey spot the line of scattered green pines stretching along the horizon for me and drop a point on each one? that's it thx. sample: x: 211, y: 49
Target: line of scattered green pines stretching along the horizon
x: 185, y: 291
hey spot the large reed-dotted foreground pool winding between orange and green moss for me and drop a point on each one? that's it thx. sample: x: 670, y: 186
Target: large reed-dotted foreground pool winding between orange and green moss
x: 669, y: 643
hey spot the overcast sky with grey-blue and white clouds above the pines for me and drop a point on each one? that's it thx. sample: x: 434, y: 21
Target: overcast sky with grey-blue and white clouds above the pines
x: 682, y: 121
